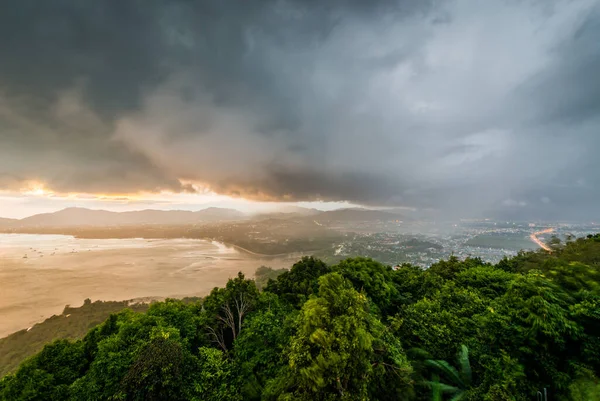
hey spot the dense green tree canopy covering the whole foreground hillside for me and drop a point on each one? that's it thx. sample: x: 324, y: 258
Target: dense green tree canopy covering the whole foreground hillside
x: 357, y: 330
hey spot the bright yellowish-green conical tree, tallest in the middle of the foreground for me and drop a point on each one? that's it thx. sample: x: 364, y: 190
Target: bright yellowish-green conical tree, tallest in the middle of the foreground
x: 340, y: 349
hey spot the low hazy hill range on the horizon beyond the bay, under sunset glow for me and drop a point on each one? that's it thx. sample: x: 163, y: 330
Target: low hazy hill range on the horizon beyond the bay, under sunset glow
x: 73, y: 217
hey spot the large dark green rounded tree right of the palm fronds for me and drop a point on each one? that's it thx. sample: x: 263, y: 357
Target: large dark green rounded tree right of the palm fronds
x: 533, y: 323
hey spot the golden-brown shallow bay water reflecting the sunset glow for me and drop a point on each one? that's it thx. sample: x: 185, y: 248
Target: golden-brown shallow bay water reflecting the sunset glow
x: 40, y: 274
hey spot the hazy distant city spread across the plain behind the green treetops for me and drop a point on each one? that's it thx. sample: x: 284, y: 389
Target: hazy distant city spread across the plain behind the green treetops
x: 486, y: 239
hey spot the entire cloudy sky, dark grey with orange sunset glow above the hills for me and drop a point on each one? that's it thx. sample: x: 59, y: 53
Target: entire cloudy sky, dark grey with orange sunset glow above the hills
x: 466, y: 107
